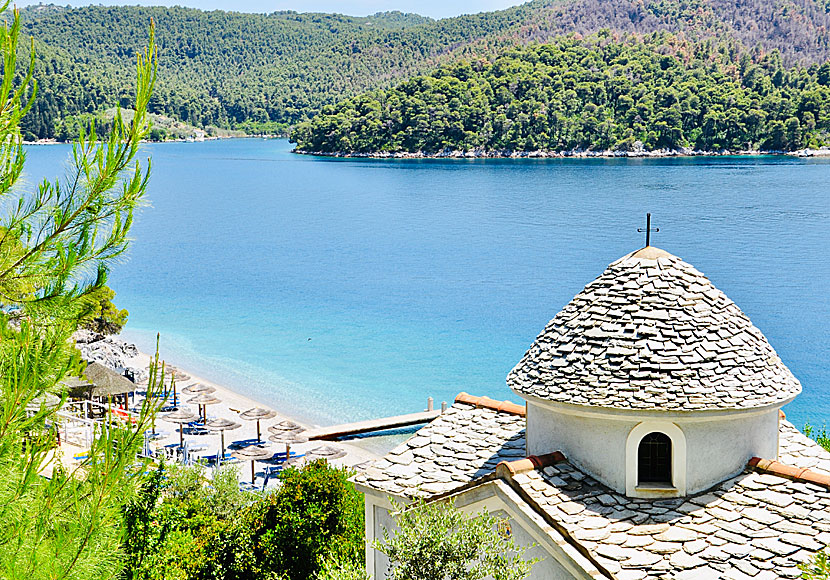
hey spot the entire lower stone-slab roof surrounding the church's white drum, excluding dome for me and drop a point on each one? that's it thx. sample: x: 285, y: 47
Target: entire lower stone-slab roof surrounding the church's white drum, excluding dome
x: 755, y: 525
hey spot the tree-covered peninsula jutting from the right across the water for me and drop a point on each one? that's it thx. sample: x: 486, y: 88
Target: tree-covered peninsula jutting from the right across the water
x: 597, y: 94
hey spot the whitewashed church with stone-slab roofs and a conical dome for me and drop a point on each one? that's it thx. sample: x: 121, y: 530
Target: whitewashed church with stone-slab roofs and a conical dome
x: 651, y: 443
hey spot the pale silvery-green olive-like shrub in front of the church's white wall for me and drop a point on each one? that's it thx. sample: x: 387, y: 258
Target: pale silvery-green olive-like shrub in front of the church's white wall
x: 435, y: 541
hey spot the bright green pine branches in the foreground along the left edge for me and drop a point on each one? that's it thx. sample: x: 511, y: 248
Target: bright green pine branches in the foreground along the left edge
x: 56, y: 244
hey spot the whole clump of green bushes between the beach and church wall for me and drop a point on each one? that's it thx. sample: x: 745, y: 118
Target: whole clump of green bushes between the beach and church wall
x: 184, y: 527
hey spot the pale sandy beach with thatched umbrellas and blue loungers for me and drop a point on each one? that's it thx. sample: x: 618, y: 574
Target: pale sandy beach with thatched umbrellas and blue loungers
x: 202, y: 444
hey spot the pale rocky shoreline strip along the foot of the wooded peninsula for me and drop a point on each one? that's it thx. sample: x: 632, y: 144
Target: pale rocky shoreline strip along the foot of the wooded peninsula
x: 575, y: 154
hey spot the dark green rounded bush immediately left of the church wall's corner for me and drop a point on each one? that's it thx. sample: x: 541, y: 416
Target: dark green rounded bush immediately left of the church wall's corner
x: 317, y: 514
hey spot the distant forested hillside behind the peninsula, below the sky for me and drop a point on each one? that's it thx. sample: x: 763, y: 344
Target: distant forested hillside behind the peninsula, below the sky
x: 261, y: 72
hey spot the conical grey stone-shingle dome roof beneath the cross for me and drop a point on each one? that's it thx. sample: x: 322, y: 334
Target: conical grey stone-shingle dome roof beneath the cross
x: 652, y: 332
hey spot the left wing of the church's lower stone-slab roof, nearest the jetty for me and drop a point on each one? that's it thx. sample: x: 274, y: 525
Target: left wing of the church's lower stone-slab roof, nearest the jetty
x: 463, y: 444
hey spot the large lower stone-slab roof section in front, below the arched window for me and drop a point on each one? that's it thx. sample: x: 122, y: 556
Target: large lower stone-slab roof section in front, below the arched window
x: 754, y: 525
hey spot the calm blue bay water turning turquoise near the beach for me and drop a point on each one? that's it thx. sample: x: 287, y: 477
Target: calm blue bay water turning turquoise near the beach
x: 346, y: 289
